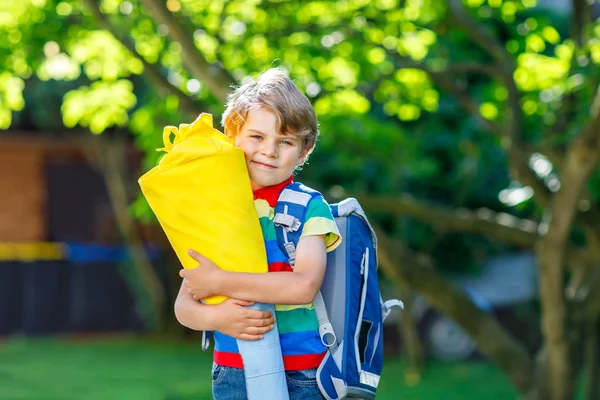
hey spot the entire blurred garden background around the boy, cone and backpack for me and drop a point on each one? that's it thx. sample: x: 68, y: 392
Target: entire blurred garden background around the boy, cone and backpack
x: 468, y: 129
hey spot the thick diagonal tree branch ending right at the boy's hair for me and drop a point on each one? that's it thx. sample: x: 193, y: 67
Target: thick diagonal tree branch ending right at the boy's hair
x: 214, y: 76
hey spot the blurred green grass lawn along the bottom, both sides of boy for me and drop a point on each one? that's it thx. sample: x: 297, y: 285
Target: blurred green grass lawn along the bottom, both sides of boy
x: 133, y: 368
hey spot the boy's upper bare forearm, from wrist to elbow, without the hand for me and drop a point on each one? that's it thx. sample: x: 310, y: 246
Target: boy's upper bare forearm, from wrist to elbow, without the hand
x: 271, y: 287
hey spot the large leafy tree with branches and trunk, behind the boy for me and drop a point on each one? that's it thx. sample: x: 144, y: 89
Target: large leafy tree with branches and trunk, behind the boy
x: 453, y: 103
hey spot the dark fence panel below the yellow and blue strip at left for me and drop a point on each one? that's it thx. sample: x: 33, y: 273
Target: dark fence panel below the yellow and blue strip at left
x: 53, y: 297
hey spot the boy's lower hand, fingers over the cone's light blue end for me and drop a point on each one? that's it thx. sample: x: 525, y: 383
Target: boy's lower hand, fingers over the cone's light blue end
x: 234, y: 319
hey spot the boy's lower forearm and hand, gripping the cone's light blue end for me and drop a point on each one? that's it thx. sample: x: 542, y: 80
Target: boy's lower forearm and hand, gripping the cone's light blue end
x: 230, y: 317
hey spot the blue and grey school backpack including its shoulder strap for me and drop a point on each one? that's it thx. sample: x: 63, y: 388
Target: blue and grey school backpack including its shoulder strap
x: 349, y: 306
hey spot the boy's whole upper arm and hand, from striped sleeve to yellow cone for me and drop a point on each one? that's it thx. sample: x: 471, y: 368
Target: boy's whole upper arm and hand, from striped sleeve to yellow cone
x: 297, y: 287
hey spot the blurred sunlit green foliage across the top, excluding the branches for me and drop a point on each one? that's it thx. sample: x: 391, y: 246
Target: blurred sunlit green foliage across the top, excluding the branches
x: 386, y: 127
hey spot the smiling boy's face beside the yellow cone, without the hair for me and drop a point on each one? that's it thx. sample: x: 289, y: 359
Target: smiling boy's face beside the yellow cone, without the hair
x: 271, y: 157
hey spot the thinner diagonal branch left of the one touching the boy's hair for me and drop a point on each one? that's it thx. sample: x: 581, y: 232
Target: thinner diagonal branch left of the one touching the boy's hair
x: 151, y: 71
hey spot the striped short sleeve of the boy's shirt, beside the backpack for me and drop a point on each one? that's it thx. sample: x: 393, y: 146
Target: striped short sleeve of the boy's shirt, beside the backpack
x: 320, y: 221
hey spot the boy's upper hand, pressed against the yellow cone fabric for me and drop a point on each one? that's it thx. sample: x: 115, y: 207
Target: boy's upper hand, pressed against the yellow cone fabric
x: 202, y: 280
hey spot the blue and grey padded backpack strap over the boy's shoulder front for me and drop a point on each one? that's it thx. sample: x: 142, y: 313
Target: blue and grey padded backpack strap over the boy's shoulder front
x: 290, y: 214
